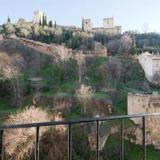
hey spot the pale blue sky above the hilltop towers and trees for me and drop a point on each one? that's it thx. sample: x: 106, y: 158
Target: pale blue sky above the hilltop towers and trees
x: 140, y: 15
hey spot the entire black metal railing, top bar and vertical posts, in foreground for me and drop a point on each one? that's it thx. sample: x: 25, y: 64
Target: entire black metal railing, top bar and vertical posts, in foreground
x: 70, y: 123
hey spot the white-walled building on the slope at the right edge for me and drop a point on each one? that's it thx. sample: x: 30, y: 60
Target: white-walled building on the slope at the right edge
x: 150, y: 64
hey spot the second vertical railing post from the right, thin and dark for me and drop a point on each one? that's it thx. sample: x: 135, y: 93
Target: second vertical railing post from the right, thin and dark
x: 122, y: 140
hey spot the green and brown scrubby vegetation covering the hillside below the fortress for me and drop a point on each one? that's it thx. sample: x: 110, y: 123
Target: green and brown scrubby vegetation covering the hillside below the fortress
x: 75, y: 80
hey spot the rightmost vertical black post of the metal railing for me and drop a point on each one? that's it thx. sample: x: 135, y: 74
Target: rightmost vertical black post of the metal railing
x: 144, y: 136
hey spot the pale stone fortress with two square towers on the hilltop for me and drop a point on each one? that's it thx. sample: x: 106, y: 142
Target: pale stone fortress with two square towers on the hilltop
x: 108, y: 26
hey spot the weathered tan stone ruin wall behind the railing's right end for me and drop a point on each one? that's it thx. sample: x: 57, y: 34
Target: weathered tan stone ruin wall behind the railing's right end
x: 146, y: 103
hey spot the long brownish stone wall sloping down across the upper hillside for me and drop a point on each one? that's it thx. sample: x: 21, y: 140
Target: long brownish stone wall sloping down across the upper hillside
x: 52, y: 49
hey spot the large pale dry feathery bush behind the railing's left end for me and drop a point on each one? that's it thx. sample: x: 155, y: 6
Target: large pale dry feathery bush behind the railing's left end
x: 16, y: 139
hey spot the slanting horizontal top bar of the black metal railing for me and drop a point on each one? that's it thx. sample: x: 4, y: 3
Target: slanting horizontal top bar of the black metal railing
x: 53, y: 123
